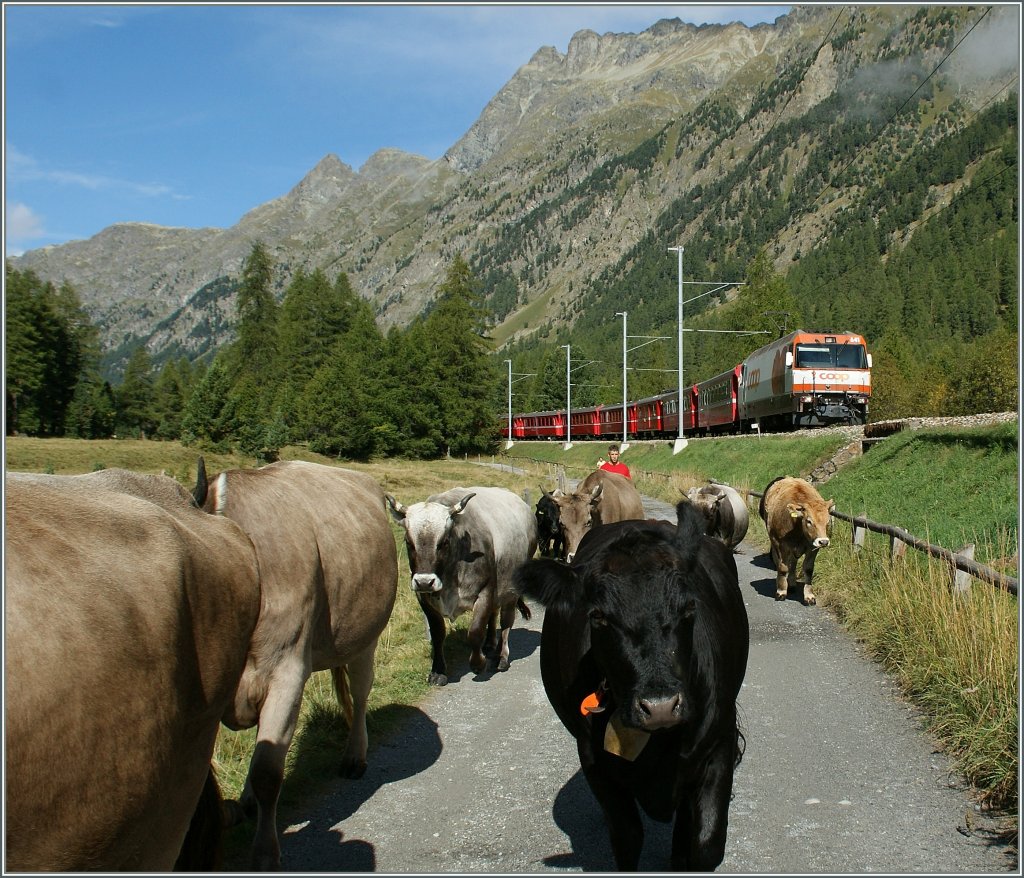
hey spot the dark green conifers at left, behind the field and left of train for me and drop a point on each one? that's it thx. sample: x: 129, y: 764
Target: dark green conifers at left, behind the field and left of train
x: 314, y: 368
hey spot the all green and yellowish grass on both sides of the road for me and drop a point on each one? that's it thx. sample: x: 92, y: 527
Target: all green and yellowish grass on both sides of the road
x: 956, y: 657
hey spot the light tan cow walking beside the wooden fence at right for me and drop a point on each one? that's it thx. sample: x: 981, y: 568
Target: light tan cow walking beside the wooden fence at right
x: 799, y: 522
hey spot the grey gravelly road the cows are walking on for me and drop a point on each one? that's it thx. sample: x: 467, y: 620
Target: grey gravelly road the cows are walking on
x: 838, y: 776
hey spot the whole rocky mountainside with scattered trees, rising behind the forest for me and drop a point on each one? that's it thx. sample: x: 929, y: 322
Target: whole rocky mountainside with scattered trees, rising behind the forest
x: 583, y: 166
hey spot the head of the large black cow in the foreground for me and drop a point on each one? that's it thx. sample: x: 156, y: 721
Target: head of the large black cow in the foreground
x: 633, y: 583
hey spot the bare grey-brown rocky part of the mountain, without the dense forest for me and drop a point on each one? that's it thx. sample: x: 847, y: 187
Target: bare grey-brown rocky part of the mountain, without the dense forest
x: 570, y: 168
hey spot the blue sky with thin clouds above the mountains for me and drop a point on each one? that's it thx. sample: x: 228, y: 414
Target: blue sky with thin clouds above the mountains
x: 193, y: 115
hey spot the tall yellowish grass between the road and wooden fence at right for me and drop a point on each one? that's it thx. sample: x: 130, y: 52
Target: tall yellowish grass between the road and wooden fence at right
x: 955, y: 655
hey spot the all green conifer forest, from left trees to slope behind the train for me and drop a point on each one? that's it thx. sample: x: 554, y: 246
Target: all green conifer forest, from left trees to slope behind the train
x: 930, y: 279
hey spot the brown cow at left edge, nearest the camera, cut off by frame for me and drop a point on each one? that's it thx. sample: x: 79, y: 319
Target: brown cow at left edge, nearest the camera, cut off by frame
x: 130, y: 615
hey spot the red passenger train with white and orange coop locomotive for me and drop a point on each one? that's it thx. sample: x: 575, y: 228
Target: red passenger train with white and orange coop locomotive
x: 803, y: 380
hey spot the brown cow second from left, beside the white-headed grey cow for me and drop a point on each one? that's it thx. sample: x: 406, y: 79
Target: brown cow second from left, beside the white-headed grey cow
x: 329, y: 572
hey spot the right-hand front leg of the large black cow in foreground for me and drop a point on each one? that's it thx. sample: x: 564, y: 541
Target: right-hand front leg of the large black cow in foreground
x: 703, y: 816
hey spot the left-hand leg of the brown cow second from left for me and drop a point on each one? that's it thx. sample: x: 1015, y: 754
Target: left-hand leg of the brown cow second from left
x: 267, y: 771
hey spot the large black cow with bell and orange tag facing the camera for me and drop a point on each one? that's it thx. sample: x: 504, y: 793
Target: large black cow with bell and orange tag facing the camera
x: 643, y: 655
